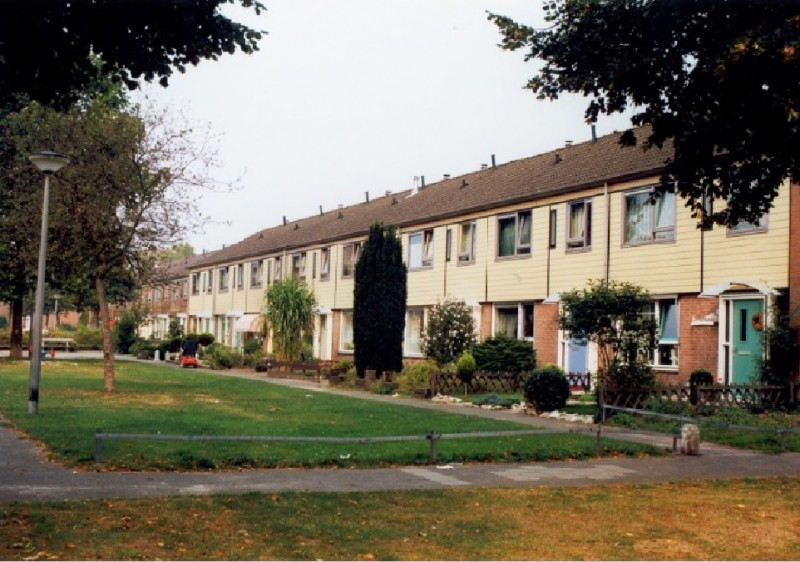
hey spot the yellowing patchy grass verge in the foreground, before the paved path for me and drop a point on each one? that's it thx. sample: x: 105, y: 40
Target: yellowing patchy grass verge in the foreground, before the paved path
x: 731, y: 520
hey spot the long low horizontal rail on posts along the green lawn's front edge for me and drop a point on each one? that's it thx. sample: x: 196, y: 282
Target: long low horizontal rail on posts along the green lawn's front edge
x: 100, y: 437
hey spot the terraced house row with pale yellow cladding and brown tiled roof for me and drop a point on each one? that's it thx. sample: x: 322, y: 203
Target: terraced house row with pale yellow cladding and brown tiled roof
x: 507, y: 239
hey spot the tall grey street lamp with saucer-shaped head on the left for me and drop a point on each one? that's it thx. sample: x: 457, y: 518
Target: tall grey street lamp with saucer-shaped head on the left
x: 47, y: 163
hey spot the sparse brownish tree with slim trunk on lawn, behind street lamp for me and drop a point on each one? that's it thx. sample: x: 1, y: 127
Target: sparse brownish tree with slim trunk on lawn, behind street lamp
x: 128, y: 190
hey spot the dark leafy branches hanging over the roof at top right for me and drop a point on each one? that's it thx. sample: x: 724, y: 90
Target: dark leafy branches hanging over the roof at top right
x: 719, y: 80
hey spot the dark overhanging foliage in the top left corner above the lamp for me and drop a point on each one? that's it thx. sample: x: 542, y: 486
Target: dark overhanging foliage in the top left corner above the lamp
x: 47, y: 46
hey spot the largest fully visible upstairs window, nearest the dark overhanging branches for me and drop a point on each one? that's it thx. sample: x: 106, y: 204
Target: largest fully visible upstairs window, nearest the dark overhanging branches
x: 647, y: 221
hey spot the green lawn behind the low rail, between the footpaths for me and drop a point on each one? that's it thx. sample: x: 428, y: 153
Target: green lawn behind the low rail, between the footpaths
x: 167, y: 400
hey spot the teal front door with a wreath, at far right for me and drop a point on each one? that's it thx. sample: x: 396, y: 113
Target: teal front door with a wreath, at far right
x: 747, y: 324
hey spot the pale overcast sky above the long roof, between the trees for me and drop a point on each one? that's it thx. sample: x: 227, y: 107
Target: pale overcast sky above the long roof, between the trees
x: 350, y: 96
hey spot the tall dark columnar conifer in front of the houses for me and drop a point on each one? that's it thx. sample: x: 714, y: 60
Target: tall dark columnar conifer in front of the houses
x: 379, y: 302
